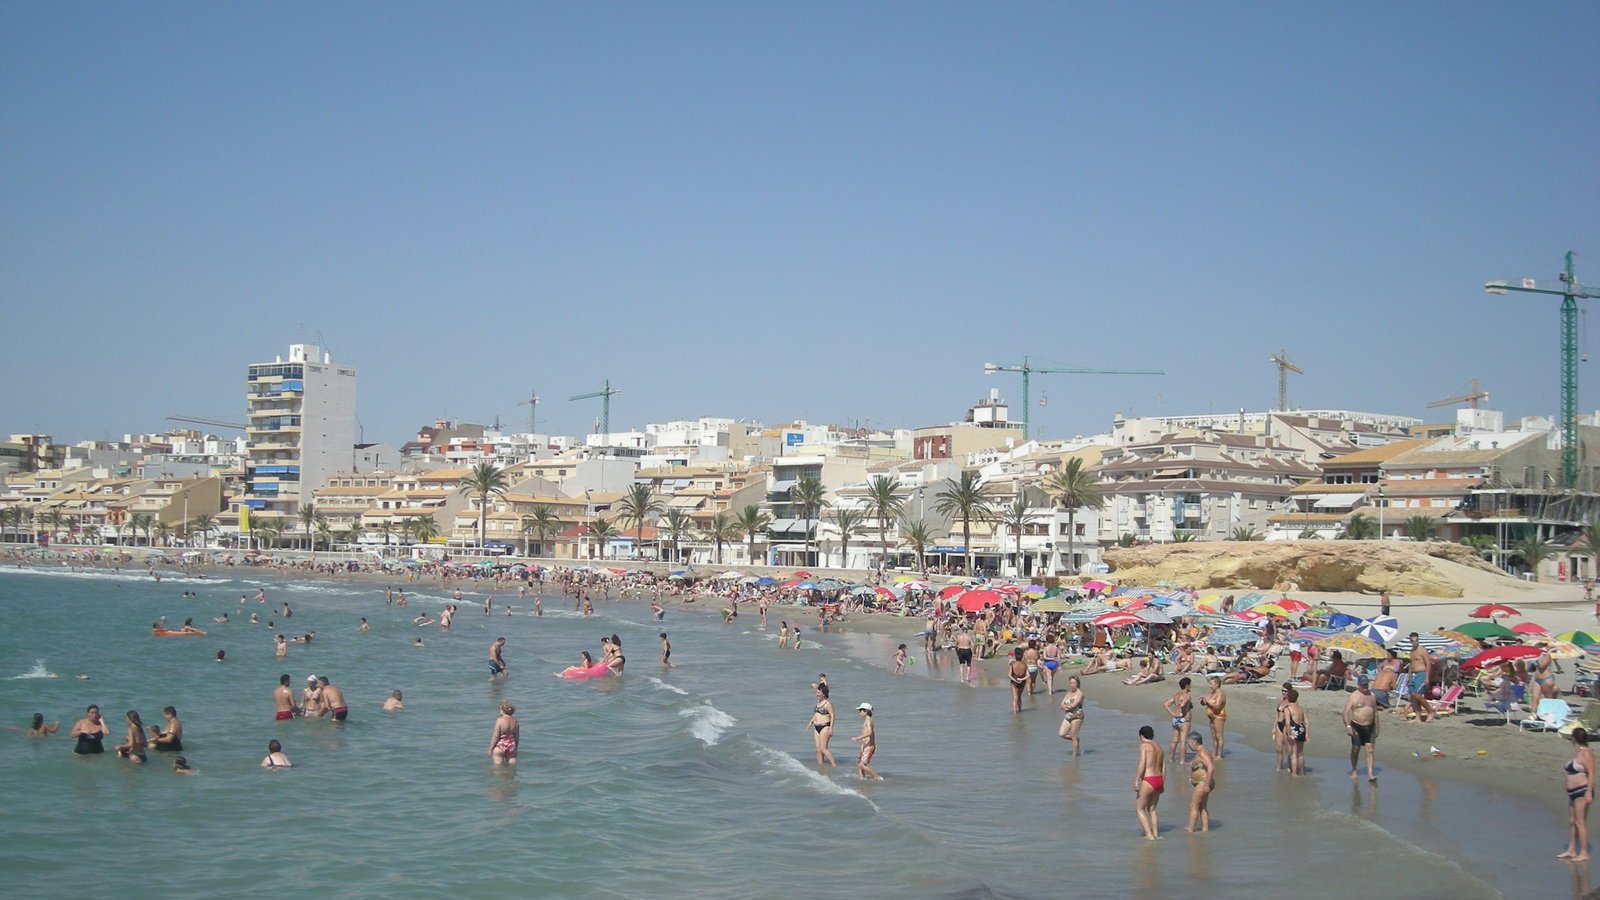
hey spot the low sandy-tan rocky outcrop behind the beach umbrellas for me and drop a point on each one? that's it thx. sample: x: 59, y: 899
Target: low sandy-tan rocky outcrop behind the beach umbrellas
x: 1401, y: 568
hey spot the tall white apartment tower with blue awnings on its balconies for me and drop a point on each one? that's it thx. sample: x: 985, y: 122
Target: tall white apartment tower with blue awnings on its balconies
x: 302, y: 428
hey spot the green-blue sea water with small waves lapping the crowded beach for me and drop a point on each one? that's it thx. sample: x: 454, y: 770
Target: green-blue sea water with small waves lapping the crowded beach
x: 689, y: 782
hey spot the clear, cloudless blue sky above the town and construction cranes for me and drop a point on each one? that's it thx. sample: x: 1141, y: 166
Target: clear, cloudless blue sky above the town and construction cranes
x: 815, y: 211
